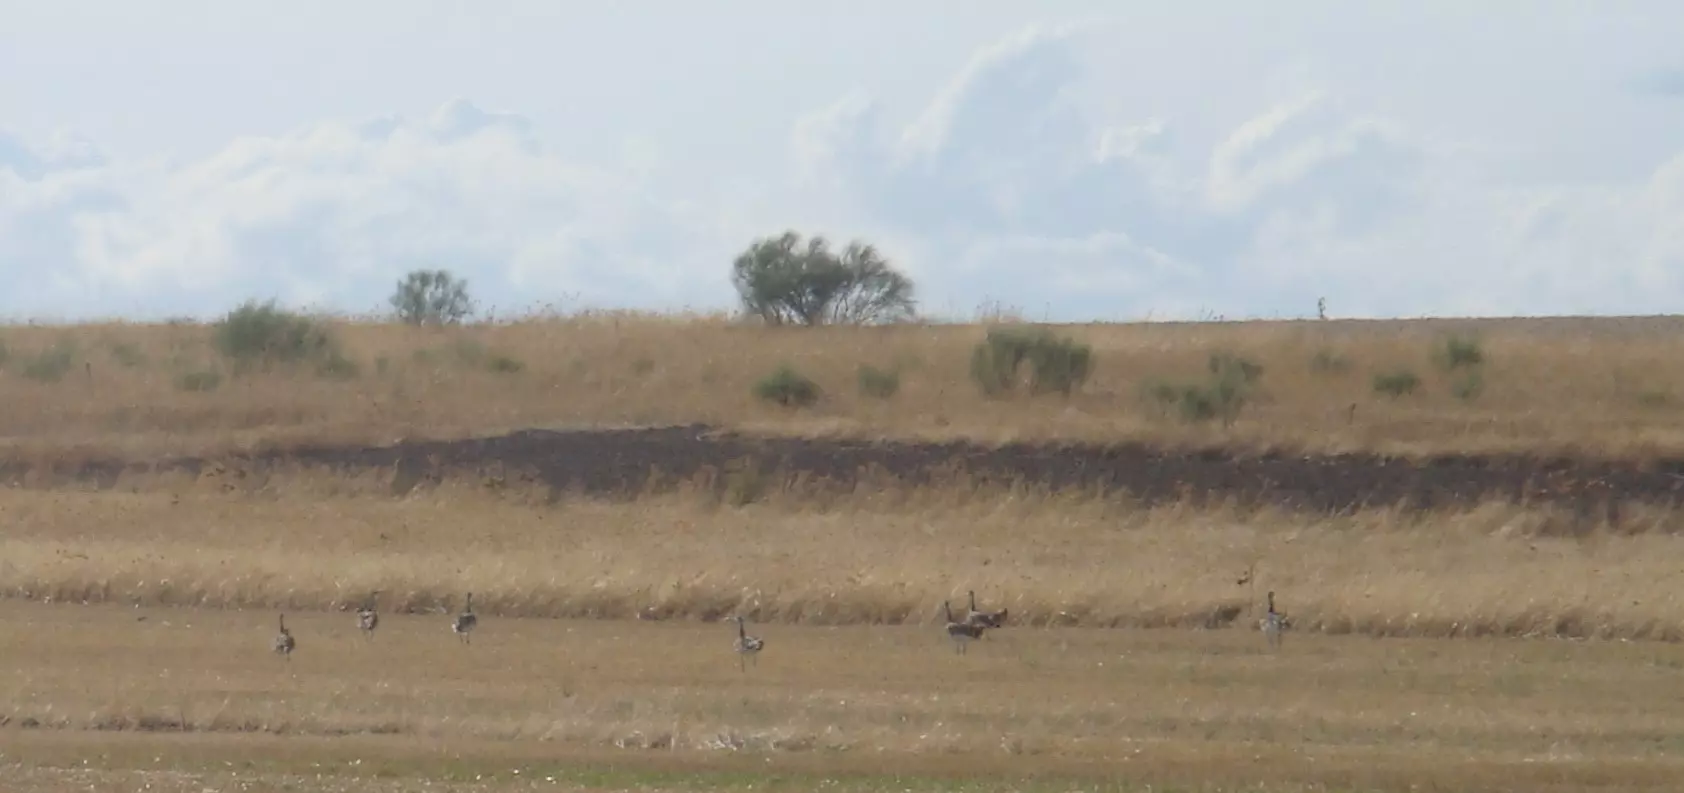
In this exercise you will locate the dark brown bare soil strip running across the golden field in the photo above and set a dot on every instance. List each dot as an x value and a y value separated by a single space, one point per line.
622 462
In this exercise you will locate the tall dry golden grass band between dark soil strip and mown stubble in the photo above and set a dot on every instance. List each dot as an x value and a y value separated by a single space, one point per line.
880 556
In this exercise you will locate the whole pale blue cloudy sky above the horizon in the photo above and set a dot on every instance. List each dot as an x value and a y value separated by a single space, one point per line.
1068 159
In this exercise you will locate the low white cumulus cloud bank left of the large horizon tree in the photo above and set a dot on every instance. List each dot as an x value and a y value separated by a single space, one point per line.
334 215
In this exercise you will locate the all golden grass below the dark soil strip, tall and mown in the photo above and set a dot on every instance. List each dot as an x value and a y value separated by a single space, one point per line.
151 664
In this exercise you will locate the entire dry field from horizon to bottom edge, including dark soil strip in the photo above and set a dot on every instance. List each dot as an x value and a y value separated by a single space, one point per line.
1463 624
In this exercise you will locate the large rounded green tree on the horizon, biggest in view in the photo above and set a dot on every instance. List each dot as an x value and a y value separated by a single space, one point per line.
791 282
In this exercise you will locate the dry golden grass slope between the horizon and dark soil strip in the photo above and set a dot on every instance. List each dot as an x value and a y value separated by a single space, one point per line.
1589 386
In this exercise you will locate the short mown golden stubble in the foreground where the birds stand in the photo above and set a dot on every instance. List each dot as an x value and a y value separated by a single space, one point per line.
664 706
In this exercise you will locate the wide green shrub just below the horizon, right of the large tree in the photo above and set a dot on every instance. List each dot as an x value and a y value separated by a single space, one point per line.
1055 365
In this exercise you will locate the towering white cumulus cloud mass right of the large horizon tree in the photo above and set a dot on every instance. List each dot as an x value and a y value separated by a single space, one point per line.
1028 194
